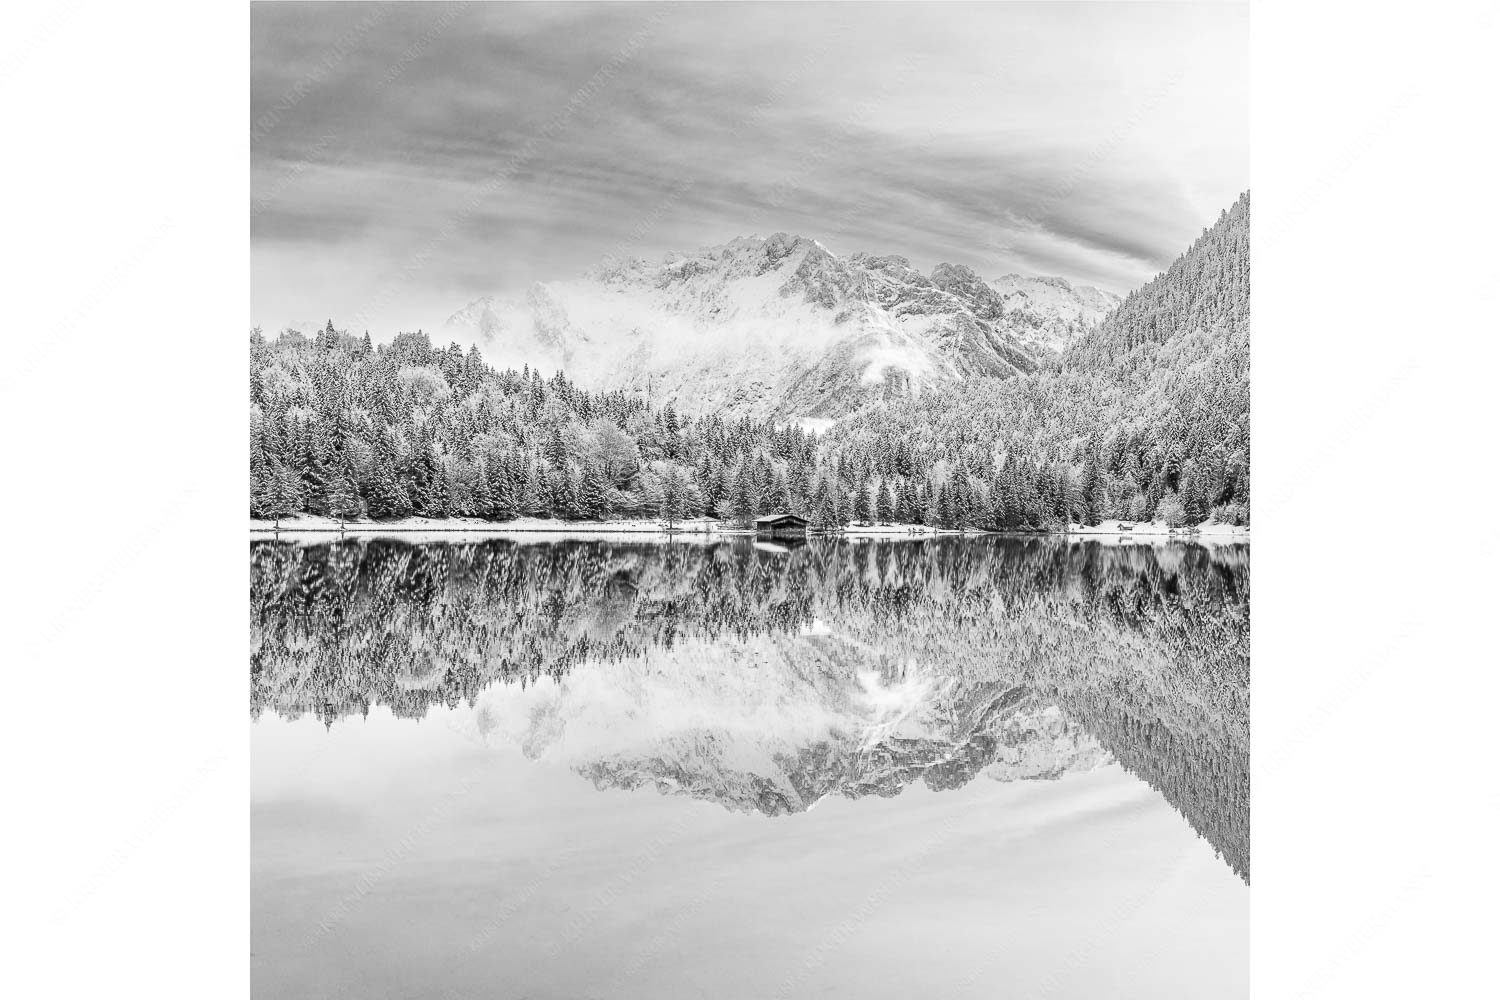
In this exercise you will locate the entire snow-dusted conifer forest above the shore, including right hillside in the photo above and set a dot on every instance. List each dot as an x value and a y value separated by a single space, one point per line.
1145 419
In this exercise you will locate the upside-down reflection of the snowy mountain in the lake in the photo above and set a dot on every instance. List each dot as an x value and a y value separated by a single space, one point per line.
778 723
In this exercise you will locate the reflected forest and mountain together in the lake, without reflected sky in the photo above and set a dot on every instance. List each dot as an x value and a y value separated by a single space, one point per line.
772 680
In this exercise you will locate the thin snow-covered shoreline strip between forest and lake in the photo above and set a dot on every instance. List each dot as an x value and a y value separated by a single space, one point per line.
406 527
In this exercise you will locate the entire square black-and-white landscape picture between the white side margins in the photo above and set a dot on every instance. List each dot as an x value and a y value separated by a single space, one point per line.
749 488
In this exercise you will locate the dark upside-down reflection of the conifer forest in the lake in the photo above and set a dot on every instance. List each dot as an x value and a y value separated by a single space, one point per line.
1147 648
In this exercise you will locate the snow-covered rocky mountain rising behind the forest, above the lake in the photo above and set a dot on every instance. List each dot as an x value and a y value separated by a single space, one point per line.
779 326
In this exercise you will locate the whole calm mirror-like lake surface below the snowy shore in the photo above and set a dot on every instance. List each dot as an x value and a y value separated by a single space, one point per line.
929 768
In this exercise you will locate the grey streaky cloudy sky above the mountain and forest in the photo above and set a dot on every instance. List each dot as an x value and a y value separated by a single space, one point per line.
410 158
